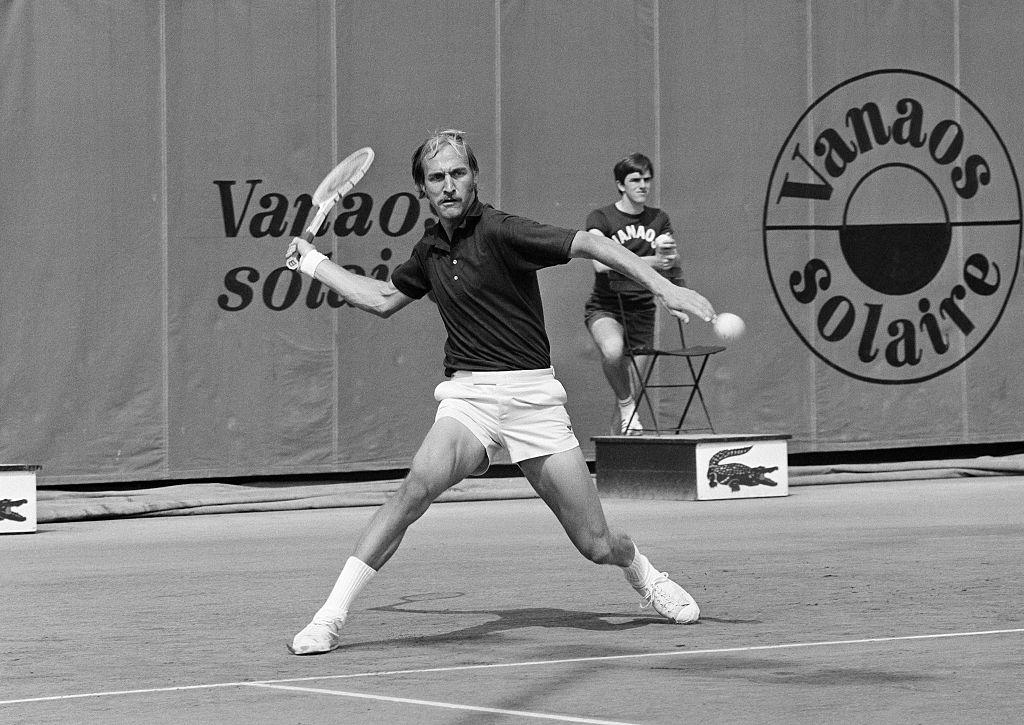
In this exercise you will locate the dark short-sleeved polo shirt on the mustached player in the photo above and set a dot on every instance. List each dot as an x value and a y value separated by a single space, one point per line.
485 284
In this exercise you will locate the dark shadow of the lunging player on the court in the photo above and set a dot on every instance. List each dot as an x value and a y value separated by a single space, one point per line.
508 620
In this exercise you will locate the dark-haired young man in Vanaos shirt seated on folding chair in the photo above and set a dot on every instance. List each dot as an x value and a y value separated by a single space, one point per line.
648 233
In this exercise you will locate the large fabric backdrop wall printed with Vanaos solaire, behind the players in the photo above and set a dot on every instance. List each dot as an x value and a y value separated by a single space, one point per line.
842 176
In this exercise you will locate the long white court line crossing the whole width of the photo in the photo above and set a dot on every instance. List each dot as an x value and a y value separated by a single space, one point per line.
535 663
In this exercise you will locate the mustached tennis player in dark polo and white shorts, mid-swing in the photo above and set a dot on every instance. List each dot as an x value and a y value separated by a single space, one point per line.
480 268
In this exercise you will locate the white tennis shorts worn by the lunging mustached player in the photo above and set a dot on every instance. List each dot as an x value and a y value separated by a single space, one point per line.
522 411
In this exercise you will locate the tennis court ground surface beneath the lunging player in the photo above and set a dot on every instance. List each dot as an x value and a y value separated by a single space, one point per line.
895 603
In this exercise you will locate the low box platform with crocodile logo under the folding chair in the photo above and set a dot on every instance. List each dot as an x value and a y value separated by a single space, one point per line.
693 467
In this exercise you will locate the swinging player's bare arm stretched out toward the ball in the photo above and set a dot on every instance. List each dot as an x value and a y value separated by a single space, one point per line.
679 301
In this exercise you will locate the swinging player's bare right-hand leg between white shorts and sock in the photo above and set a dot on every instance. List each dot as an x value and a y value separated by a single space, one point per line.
564 482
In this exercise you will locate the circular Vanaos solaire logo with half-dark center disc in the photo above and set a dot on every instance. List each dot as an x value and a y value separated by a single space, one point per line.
892 228
